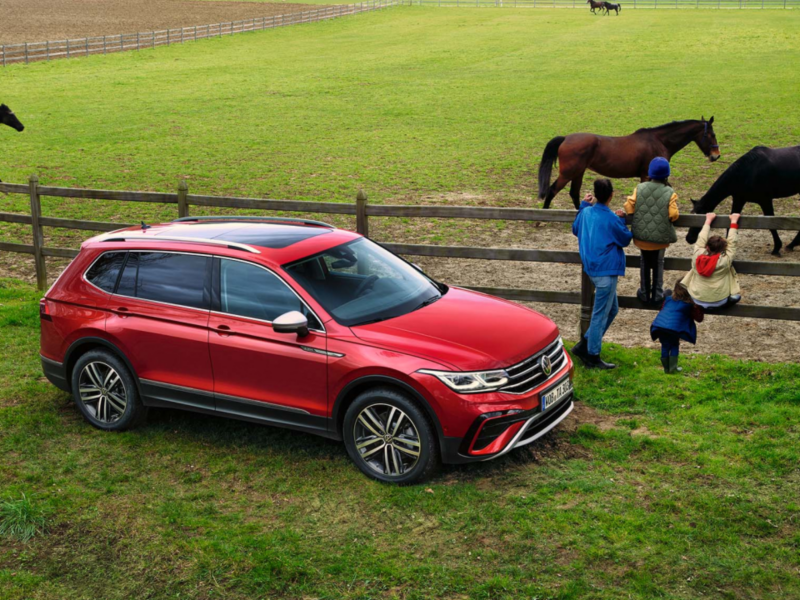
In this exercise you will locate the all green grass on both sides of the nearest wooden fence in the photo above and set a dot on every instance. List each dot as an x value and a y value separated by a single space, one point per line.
684 487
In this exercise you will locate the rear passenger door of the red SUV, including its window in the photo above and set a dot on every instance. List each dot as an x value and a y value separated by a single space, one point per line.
159 316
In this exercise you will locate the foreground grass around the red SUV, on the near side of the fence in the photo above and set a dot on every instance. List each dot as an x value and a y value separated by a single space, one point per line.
688 488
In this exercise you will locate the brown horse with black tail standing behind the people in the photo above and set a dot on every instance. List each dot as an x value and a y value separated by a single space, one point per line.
627 156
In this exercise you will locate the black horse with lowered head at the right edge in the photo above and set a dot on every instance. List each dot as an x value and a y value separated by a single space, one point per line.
760 176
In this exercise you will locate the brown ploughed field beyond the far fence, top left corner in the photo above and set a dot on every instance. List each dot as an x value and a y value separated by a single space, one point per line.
42 20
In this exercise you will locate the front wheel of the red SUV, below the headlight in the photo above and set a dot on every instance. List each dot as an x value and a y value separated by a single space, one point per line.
389 437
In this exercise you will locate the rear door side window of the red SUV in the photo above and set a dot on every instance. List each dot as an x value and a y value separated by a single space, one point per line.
172 278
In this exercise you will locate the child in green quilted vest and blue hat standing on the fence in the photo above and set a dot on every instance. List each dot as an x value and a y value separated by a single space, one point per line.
654 206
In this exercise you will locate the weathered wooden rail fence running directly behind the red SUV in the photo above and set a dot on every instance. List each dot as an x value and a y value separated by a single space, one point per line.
363 211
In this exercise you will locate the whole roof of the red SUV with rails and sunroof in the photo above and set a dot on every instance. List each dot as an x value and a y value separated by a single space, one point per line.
274 240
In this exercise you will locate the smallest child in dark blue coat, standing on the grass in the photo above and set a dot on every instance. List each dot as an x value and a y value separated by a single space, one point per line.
676 322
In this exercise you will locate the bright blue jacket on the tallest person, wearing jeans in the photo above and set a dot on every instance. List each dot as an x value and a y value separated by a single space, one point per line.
601 237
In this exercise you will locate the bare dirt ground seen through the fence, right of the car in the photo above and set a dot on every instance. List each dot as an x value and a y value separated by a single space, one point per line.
756 339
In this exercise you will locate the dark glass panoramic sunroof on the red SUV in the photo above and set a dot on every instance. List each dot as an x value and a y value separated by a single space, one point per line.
255 234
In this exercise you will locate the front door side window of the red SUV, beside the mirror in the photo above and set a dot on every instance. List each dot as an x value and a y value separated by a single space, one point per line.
249 291
